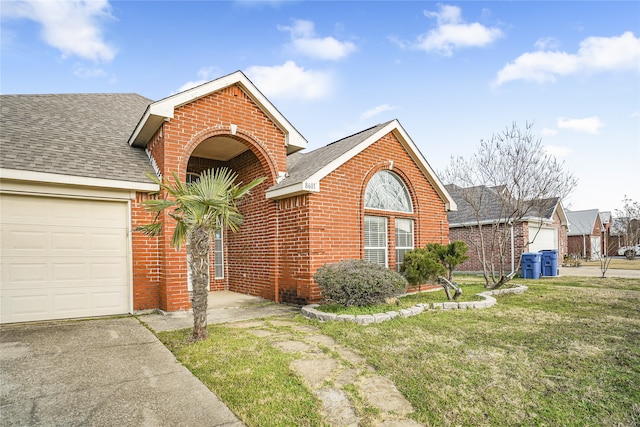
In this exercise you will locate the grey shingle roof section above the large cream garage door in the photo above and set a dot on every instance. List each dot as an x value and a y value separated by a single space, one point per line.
63 137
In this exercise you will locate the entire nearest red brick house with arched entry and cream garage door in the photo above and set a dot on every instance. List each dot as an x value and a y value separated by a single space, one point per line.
72 186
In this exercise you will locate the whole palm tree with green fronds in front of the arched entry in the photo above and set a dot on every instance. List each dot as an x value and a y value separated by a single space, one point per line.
199 208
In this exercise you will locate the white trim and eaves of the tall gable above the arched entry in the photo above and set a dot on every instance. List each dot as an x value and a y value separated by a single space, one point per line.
157 112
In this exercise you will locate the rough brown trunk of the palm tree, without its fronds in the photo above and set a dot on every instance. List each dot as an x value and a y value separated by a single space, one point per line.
199 251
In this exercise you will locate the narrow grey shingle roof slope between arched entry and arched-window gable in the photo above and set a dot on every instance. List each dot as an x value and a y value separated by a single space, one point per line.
301 166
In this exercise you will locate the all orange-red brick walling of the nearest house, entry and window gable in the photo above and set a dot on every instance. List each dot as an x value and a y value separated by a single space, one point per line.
281 243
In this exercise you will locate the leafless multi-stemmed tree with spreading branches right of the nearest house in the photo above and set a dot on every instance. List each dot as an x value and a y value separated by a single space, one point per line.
509 179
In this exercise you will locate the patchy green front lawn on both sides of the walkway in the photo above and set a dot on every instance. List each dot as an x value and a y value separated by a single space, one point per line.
566 352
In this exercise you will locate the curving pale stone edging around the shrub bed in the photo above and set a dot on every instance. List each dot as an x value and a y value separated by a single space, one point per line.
310 312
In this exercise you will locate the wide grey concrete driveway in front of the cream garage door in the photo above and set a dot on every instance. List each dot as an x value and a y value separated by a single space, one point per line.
102 372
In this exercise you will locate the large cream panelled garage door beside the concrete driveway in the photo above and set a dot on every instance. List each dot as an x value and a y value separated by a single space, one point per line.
62 258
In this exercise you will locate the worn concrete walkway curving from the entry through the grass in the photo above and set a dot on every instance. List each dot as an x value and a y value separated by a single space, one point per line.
329 370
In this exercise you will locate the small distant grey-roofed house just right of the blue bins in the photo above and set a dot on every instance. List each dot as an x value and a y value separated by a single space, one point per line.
585 234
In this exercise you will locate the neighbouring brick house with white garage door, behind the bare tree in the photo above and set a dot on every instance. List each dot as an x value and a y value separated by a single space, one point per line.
544 228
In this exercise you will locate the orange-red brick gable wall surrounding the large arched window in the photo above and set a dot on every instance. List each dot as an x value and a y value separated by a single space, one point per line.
330 225
